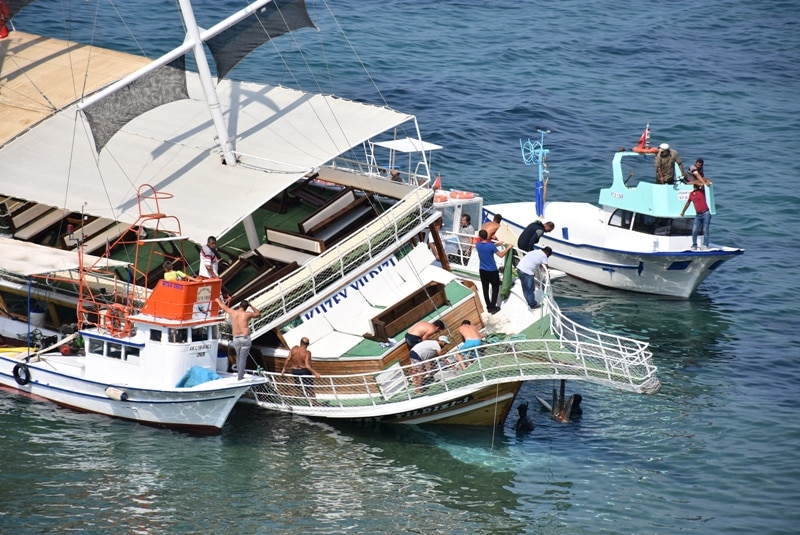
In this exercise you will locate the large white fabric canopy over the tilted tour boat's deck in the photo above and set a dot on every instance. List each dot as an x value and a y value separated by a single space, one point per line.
279 135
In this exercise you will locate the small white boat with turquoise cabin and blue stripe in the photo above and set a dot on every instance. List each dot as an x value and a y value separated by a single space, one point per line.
636 239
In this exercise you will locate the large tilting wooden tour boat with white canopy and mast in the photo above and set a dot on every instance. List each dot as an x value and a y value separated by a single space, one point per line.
338 260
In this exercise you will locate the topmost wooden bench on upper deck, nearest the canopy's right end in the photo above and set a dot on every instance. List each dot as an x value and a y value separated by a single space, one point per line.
341 214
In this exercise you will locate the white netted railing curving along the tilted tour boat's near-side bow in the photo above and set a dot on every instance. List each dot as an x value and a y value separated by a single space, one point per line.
446 377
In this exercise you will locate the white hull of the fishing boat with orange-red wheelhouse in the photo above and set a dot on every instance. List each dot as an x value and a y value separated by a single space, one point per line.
203 408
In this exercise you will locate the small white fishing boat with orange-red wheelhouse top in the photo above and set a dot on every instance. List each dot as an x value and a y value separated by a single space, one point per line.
135 354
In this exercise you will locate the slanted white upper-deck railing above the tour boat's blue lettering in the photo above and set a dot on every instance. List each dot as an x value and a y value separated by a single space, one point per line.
306 283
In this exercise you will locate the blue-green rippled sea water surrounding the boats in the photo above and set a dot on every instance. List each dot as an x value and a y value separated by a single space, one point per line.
716 451
